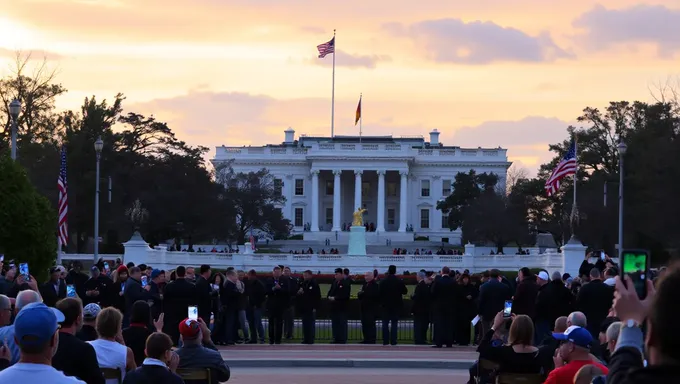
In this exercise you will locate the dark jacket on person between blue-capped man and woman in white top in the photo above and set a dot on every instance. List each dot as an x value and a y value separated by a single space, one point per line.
77 358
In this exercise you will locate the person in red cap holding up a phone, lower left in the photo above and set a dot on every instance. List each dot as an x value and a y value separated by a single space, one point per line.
198 352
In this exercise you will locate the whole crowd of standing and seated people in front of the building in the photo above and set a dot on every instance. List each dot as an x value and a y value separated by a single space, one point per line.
136 321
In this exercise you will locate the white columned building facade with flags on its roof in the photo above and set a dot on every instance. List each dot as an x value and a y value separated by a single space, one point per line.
398 180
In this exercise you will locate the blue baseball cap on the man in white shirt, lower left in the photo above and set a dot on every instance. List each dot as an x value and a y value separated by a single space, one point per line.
36 323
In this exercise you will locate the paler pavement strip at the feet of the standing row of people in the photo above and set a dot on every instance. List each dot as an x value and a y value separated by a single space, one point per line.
348 356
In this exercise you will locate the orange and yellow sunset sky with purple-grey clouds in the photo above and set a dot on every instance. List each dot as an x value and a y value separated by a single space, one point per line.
513 73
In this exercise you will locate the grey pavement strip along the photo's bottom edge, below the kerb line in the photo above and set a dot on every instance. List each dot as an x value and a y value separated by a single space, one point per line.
345 375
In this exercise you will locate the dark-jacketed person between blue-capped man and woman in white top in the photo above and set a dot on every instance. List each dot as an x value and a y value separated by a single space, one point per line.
75 357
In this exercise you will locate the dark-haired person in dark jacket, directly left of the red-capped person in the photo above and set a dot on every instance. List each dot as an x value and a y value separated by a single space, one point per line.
159 366
